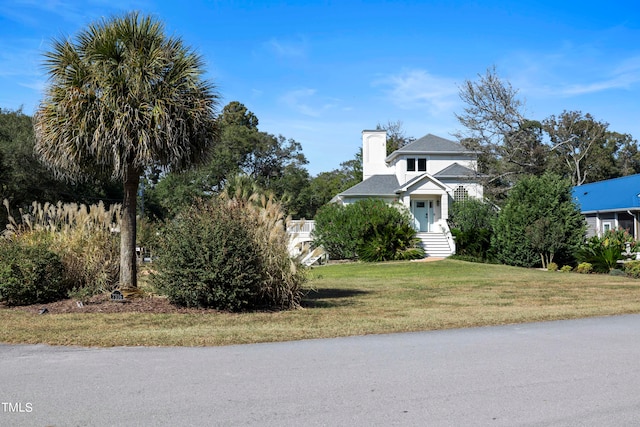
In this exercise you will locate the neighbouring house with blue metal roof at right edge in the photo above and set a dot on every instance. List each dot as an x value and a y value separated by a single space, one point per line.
610 205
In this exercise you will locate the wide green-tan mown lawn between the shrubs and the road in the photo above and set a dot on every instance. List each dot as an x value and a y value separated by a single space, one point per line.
354 299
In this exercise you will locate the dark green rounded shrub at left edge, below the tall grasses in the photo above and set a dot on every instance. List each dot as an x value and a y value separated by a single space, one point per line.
30 274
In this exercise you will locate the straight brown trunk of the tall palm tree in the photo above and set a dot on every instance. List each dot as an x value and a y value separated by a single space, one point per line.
128 273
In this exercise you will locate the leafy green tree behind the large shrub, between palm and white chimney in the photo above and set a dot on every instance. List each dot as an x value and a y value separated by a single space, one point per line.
274 162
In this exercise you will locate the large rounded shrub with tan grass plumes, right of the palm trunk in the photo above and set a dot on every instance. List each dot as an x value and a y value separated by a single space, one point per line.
229 254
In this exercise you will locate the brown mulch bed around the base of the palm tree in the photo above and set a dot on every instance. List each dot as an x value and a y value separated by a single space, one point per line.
103 304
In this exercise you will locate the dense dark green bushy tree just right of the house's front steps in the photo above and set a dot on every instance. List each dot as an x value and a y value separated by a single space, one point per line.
539 222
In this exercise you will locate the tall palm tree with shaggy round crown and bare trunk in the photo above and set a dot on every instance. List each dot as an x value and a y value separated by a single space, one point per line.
123 96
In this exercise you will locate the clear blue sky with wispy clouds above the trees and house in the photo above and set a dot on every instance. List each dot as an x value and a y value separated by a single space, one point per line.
322 71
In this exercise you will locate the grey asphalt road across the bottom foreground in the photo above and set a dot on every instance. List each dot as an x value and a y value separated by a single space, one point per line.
569 373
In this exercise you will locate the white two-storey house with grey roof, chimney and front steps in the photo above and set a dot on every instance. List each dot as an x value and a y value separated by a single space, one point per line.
426 176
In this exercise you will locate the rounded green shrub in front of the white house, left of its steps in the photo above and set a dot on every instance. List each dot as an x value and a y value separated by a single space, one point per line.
370 230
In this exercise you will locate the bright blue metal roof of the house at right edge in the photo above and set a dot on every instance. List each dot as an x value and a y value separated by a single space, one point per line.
618 194
